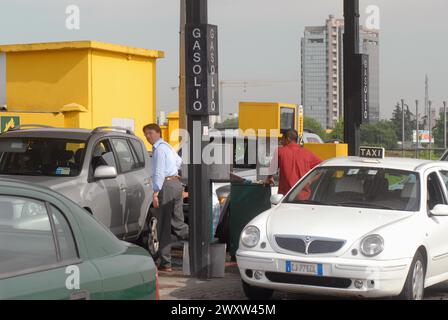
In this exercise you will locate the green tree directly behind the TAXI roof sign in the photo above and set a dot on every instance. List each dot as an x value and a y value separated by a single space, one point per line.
380 134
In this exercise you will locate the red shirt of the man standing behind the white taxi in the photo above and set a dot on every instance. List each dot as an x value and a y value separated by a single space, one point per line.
294 162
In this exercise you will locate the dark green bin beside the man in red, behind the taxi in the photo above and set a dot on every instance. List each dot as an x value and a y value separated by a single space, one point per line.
246 202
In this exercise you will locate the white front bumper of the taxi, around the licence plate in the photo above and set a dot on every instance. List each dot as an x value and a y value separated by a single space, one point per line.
338 277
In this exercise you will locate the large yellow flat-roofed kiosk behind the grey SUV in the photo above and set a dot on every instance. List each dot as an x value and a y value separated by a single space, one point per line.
78 84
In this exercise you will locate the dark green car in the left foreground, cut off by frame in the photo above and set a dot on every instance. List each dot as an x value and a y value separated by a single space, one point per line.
50 248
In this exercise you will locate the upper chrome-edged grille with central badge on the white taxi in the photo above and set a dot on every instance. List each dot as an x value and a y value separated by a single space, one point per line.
315 246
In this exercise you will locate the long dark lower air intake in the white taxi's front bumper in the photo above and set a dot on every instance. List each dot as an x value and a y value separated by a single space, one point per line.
327 282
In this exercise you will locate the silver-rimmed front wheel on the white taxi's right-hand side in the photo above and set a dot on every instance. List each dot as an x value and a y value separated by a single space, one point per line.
415 282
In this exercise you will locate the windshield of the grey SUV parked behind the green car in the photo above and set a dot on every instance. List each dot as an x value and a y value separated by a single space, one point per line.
41 157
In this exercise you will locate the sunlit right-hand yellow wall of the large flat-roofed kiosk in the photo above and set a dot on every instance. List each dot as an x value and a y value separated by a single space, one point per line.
122 88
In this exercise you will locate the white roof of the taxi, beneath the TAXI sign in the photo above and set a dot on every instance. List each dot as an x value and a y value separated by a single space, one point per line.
406 164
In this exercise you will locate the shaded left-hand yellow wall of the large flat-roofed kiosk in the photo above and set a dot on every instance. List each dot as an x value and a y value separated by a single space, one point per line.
46 81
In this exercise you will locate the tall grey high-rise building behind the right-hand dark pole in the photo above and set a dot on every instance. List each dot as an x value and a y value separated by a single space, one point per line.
322 71
